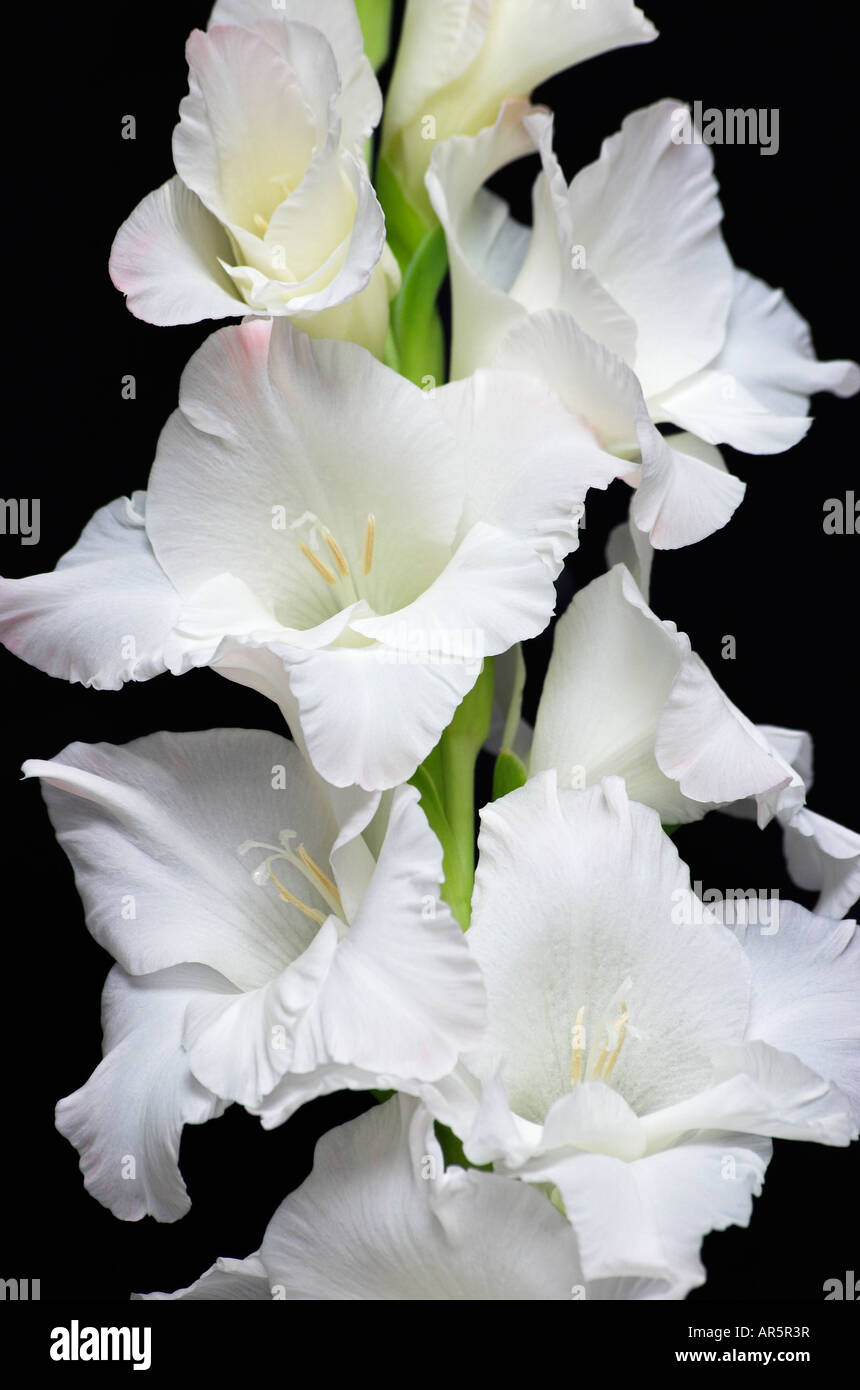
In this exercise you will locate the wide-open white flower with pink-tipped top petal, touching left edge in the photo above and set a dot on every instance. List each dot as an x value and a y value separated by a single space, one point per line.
331 534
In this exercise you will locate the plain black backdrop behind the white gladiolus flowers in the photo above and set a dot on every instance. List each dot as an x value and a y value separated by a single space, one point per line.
773 579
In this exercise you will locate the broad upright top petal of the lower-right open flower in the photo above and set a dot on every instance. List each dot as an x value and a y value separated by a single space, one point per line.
574 901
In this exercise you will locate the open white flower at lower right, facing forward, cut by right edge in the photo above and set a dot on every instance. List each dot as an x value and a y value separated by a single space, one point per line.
640 1054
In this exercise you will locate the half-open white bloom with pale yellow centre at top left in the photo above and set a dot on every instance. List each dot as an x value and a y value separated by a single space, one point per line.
272 211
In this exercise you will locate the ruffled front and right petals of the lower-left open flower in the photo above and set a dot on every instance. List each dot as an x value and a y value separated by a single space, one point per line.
397 996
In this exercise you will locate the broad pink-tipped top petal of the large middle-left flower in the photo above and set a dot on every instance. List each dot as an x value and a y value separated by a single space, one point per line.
256 432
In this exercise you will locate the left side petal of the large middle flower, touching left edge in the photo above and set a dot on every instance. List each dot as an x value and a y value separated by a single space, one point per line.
104 616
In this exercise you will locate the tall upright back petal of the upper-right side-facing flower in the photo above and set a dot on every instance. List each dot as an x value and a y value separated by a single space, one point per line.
650 218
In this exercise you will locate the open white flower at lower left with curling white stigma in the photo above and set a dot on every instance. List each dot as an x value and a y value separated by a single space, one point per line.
265 954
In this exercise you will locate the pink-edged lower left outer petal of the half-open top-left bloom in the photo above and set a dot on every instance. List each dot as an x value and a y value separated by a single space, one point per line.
167 259
